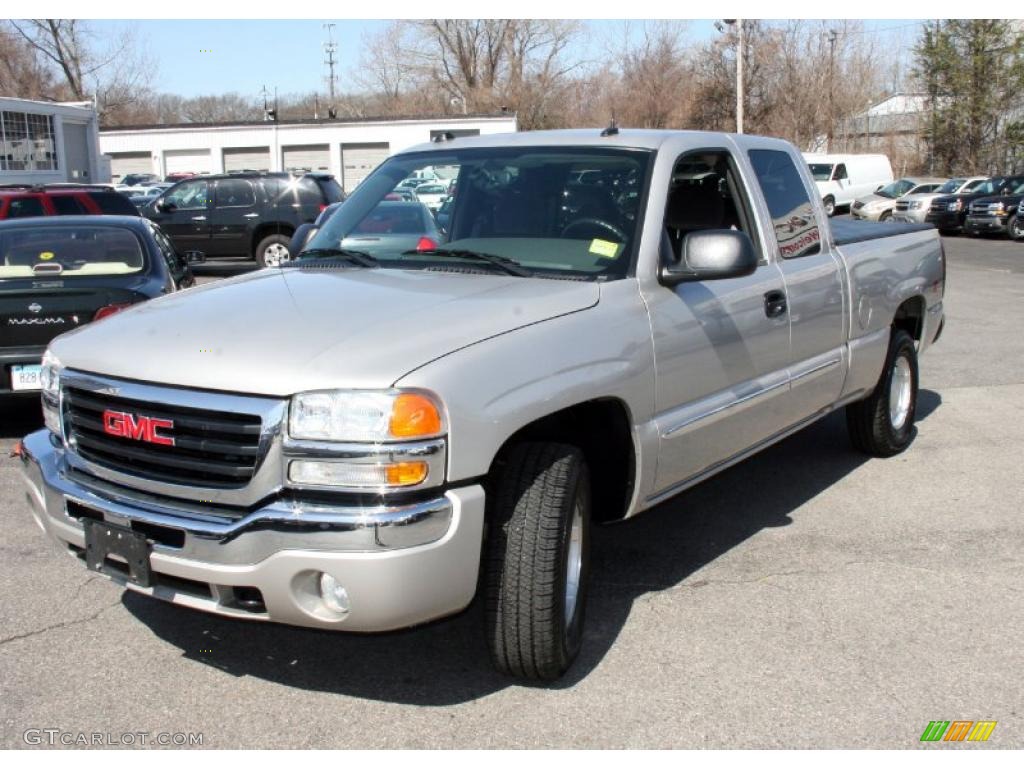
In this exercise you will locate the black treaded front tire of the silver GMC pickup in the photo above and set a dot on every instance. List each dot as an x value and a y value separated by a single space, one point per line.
538 561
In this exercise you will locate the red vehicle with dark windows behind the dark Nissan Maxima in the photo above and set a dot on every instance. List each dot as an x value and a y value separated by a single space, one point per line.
21 201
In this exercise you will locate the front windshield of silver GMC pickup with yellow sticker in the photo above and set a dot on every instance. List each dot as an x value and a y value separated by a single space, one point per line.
574 211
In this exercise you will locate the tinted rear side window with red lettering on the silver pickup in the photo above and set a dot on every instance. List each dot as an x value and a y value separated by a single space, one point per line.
793 217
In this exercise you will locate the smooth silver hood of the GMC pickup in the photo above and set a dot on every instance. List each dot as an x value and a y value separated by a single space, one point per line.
278 332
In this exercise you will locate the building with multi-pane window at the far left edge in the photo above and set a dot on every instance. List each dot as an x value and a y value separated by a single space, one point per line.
44 143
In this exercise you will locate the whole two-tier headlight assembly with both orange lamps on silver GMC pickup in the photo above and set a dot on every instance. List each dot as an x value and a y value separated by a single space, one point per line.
382 442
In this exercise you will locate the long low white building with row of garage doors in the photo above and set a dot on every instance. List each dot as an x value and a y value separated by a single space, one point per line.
349 149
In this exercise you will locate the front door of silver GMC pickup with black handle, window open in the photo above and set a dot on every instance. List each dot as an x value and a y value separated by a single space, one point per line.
721 348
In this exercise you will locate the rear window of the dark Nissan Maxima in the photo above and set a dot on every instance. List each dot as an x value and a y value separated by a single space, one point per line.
70 252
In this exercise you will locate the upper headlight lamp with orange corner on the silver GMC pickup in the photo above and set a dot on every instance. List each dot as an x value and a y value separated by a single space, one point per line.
364 416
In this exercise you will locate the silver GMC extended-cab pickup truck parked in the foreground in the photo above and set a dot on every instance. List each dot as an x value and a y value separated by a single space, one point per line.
358 439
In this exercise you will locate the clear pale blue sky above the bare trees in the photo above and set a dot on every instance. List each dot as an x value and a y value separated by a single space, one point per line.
203 57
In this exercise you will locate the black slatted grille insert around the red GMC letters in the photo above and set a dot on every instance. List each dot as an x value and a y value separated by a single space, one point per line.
211 449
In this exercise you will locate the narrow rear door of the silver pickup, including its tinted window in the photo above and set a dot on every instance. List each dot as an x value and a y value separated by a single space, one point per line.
815 284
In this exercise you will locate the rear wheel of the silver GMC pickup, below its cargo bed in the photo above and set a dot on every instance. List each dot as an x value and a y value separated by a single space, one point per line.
883 423
